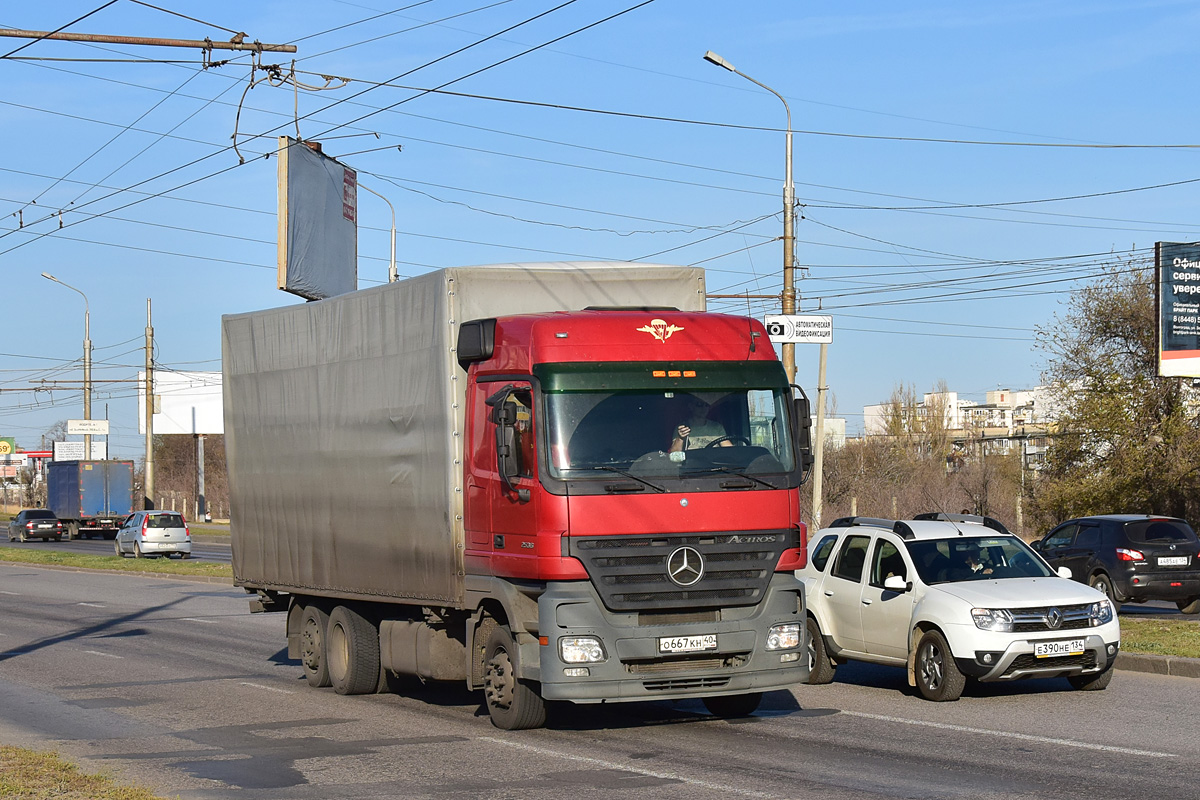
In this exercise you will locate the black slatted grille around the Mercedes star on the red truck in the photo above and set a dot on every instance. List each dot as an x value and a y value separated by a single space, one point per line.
631 573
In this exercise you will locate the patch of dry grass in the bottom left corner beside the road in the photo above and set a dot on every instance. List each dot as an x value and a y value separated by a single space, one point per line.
34 775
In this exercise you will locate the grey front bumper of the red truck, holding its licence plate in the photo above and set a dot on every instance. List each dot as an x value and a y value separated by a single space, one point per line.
700 653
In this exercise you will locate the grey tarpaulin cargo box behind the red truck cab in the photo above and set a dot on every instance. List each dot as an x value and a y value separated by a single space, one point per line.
344 423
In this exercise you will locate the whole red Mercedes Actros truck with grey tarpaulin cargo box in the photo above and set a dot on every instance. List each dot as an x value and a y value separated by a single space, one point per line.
551 482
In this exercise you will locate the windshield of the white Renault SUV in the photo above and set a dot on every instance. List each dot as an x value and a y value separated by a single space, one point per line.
950 561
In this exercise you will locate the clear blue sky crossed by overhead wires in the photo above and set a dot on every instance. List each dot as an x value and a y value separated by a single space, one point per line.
955 164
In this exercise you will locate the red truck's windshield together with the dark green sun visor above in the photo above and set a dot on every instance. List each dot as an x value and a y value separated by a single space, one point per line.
667 423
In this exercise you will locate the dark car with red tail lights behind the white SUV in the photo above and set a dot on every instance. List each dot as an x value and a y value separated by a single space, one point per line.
1131 558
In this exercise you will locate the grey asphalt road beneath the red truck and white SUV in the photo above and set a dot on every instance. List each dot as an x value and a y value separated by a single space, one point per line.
177 685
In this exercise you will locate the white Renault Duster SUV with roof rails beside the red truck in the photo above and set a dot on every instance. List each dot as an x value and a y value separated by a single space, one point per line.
950 598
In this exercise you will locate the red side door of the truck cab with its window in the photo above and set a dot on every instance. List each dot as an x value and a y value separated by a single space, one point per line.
501 508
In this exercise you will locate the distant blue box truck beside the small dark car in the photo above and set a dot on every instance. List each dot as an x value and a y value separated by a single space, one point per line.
91 497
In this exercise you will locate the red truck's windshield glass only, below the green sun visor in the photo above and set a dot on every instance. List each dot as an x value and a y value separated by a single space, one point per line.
668 432
